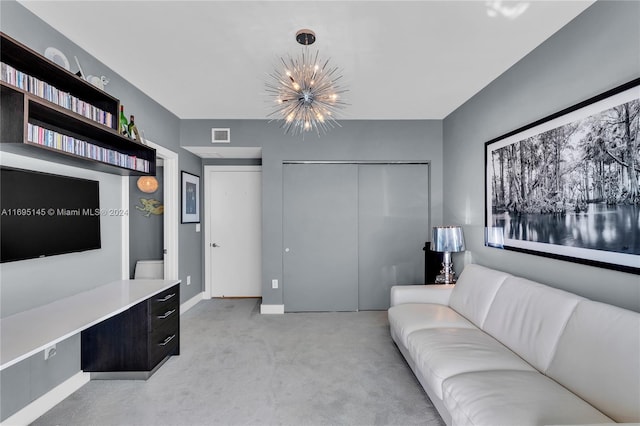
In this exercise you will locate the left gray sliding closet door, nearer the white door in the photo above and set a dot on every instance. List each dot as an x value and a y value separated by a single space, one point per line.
320 236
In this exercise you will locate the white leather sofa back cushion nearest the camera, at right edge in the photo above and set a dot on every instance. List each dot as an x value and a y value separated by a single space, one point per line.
598 358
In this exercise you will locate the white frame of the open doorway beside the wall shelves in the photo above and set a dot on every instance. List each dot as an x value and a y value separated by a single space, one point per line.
170 219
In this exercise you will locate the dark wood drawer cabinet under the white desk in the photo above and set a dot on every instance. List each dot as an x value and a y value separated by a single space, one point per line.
134 343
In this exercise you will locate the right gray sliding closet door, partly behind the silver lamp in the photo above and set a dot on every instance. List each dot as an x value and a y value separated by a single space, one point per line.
393 227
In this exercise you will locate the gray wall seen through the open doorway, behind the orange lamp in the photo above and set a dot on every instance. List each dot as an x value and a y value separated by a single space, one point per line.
146 233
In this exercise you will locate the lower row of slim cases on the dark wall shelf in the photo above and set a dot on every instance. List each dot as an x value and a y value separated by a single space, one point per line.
51 139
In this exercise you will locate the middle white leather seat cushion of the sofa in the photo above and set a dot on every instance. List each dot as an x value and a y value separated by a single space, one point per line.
440 353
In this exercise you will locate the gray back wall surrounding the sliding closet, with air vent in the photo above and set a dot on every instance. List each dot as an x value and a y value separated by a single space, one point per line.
356 140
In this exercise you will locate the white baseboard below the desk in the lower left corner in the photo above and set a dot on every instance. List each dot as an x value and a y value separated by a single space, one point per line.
47 401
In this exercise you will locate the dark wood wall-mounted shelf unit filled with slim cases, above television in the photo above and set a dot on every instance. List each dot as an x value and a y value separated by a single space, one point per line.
37 92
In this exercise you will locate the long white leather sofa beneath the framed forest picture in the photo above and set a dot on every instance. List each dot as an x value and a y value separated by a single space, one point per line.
496 349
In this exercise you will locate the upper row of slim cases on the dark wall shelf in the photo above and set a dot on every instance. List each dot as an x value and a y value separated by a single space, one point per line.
44 90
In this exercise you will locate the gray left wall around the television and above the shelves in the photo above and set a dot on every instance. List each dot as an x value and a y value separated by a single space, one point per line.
31 283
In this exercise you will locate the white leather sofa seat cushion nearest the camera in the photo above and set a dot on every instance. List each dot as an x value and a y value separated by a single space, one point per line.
520 398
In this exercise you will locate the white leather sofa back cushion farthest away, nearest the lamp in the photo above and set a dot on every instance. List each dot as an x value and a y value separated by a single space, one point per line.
474 292
